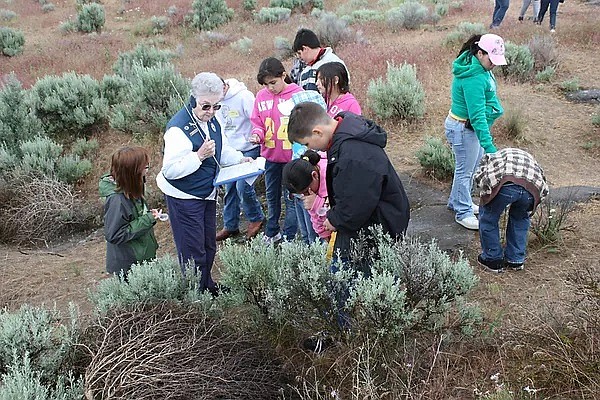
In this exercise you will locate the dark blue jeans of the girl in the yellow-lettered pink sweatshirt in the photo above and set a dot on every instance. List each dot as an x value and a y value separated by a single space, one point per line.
275 189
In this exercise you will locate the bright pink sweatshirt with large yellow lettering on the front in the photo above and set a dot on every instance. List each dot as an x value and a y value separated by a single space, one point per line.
271 126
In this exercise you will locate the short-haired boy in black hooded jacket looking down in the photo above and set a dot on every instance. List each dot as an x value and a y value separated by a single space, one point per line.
363 188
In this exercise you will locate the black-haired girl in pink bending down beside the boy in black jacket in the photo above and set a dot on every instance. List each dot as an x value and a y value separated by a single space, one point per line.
306 177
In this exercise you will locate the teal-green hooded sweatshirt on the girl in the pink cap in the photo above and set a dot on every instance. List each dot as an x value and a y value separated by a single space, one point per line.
474 97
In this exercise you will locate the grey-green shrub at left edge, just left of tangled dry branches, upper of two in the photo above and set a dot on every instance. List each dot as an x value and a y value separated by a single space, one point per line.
35 334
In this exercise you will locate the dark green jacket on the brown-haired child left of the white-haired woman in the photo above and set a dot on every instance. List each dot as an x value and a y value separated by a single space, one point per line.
128 228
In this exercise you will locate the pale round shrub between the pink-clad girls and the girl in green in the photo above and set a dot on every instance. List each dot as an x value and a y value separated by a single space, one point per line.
400 95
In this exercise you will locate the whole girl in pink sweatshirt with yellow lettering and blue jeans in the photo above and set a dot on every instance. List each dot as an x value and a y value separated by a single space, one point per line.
269 129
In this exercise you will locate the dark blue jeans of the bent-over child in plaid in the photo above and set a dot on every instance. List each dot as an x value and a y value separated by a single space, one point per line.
521 205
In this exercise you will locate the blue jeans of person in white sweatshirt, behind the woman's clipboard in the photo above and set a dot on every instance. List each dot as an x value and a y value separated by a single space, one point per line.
240 190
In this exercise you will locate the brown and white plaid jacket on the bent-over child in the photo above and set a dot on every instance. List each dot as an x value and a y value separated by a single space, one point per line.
510 165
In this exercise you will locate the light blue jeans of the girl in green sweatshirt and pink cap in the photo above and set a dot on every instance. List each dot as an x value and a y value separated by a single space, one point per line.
467 153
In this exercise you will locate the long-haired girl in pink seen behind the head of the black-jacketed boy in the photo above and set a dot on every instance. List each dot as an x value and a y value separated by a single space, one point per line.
333 83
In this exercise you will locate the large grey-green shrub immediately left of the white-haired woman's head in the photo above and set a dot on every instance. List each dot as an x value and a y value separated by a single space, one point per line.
151 100
